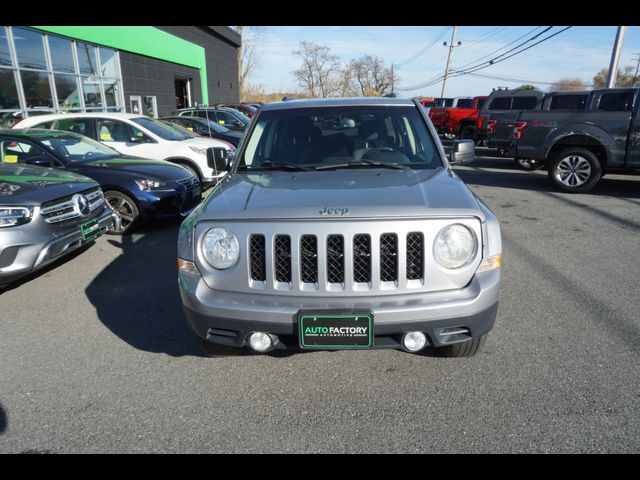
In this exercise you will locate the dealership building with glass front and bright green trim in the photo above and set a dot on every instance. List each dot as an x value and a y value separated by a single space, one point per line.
147 70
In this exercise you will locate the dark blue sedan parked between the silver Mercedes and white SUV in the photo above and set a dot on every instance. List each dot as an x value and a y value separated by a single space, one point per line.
135 189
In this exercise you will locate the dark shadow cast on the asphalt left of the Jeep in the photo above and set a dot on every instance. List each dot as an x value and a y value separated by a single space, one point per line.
136 296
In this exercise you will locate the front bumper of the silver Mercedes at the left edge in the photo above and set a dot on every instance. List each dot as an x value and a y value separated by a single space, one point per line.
22 252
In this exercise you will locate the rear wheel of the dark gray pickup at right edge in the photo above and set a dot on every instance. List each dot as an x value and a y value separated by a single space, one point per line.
575 170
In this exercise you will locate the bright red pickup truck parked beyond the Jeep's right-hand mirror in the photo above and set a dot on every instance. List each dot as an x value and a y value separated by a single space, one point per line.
458 121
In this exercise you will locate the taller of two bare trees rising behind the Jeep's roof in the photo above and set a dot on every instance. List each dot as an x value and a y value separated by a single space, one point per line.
319 73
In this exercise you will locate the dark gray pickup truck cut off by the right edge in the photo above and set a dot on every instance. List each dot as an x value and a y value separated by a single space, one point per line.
579 145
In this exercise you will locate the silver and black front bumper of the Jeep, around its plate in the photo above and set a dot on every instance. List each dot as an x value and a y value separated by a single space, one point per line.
228 318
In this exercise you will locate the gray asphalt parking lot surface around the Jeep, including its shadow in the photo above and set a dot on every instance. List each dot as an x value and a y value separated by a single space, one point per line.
95 355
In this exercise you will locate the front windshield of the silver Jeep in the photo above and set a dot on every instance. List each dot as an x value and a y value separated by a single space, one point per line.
323 138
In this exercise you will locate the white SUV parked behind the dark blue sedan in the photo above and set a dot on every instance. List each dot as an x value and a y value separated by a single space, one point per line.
139 136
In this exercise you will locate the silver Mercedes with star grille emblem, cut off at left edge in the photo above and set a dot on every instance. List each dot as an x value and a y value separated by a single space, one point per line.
45 214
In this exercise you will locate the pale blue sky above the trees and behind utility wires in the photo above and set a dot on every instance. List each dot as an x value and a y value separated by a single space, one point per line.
579 52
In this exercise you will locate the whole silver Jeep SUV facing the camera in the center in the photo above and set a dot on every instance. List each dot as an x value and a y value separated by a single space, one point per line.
341 225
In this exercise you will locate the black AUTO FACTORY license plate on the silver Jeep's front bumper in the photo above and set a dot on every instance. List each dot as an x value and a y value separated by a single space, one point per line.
335 330
